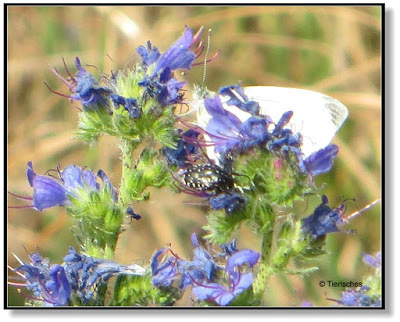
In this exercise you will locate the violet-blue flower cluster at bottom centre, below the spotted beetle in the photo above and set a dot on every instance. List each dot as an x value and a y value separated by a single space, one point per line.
210 279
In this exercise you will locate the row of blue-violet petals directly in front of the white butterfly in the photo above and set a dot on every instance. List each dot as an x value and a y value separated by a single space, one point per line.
231 134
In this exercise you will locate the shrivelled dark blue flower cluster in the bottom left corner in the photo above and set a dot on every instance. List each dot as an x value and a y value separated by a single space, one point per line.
80 275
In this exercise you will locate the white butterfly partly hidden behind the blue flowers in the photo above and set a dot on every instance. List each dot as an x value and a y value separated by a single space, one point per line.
316 116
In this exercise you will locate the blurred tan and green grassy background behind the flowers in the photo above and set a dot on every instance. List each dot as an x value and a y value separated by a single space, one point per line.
334 50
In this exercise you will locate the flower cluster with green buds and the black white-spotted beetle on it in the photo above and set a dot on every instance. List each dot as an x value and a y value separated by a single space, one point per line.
231 127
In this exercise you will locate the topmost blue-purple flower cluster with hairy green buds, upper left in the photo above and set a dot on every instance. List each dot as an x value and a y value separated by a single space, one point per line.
135 103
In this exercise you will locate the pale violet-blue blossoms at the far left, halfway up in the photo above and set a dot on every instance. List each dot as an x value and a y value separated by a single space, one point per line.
49 192
